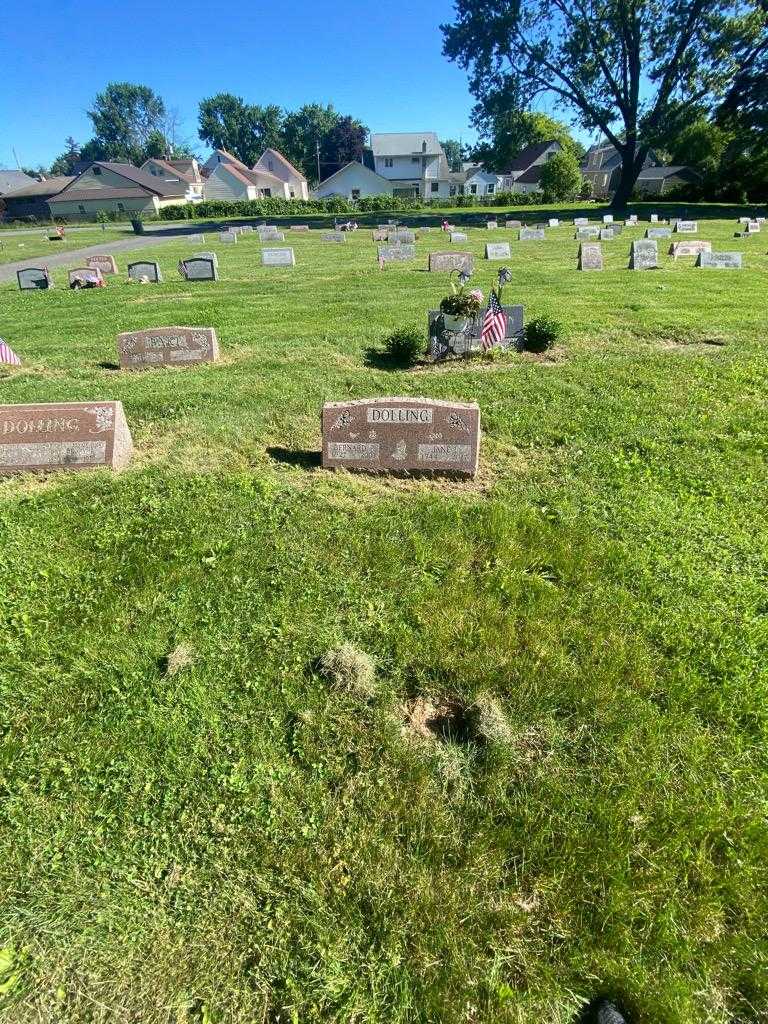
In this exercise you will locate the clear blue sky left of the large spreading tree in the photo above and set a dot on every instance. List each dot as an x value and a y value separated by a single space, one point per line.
379 62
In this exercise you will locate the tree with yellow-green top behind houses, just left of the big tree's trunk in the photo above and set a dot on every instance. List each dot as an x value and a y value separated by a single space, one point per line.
506 132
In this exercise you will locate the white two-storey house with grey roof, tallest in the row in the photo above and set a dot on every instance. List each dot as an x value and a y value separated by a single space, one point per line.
414 163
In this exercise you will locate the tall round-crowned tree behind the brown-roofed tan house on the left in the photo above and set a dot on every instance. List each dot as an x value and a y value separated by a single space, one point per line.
125 118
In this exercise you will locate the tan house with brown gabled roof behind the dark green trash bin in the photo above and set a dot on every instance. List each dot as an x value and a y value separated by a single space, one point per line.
116 188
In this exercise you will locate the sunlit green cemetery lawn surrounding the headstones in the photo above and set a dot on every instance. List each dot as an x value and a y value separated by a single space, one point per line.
234 839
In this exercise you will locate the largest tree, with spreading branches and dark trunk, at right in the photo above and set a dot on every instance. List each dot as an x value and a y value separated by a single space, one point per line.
620 65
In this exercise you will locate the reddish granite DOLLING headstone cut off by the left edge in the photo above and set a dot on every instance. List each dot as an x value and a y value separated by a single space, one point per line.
64 436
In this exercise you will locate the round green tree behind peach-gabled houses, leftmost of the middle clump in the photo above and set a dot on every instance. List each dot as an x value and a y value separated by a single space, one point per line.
227 122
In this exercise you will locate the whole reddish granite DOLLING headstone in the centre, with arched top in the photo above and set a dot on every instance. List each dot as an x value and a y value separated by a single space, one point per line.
402 435
